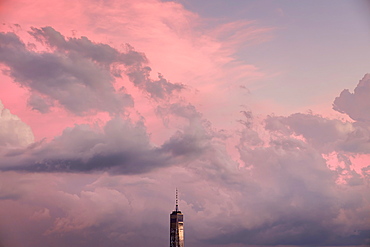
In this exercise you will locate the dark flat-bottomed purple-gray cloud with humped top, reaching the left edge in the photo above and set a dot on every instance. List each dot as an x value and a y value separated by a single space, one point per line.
122 147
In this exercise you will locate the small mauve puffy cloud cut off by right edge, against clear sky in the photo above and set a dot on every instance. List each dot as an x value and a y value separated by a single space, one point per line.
356 104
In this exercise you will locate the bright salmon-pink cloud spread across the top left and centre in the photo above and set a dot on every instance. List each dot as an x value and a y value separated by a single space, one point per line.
198 57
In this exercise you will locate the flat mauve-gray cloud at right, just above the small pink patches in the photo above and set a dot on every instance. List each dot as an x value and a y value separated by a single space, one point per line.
324 134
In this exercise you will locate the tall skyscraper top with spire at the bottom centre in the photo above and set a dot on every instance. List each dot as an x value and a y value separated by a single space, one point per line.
176 226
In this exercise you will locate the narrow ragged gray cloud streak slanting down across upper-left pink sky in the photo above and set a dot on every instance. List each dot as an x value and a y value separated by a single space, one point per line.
107 56
